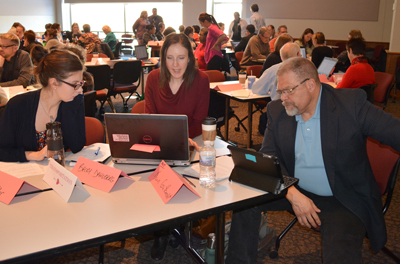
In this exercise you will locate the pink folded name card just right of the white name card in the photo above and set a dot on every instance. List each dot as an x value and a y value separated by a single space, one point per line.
97 175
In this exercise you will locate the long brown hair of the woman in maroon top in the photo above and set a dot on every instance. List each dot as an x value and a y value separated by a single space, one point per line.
190 72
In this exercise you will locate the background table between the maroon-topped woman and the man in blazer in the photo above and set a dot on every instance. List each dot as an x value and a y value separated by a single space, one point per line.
252 98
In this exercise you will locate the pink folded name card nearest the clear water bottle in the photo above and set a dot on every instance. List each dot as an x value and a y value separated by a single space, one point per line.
168 182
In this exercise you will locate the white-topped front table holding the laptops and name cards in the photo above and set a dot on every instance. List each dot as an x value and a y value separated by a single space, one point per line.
39 226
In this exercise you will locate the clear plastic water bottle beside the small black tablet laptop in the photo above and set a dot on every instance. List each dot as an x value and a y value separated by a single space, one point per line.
207 166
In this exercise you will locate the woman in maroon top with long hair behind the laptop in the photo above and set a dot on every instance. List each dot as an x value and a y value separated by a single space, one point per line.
177 88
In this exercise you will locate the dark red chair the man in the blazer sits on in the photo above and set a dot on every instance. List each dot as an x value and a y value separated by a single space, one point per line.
385 163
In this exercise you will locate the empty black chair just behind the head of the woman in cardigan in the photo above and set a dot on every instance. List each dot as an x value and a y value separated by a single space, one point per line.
101 76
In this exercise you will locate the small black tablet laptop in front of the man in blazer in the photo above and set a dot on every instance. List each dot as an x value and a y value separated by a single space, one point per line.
258 170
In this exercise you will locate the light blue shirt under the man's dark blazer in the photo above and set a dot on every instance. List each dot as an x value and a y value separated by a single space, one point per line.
309 164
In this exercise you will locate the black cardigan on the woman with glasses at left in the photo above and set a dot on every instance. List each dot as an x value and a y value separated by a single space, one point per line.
17 126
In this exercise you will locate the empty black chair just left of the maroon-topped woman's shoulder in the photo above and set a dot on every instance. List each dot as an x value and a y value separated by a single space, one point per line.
126 79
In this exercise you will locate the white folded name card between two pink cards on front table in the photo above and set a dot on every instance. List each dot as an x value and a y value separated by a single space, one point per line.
63 181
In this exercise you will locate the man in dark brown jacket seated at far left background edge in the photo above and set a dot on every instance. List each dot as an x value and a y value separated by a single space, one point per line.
15 64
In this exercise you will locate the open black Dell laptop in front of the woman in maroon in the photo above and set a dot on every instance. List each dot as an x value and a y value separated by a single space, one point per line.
169 132
